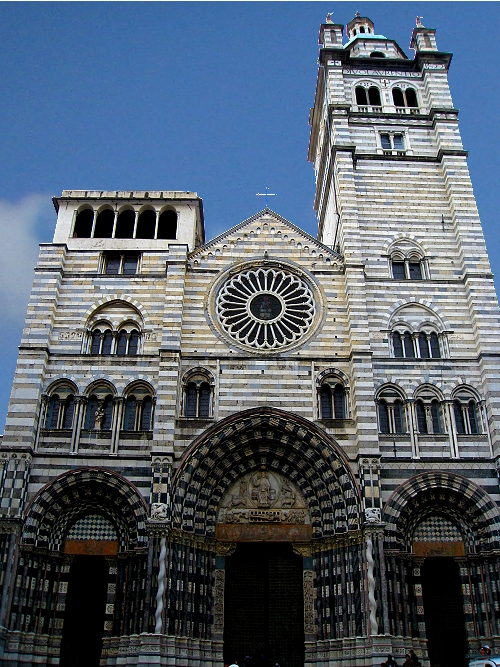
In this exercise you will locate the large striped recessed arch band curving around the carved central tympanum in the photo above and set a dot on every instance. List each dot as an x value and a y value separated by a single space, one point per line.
273 440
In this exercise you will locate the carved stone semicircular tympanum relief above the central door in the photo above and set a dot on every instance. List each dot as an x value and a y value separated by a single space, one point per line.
263 497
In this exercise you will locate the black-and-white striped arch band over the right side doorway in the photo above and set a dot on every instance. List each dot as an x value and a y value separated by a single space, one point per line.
442 493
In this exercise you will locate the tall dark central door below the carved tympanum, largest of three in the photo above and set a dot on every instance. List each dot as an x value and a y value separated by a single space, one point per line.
264 607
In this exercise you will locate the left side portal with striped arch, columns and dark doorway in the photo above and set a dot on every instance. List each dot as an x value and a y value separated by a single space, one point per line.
83 556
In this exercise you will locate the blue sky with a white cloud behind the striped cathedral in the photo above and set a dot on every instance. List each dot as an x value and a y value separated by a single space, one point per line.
205 96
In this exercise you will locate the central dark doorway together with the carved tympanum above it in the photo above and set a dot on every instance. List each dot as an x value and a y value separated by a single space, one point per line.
264 515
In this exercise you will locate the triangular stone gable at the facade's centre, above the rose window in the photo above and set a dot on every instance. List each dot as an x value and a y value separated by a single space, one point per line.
266 234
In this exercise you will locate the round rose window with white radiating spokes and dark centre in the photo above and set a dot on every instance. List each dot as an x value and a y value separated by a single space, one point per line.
265 308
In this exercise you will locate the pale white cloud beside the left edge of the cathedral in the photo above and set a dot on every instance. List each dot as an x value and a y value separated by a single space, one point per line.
23 225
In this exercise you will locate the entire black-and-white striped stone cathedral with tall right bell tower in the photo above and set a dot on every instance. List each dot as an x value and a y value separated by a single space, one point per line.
267 445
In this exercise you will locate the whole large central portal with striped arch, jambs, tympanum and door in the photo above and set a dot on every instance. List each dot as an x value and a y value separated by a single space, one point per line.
263 487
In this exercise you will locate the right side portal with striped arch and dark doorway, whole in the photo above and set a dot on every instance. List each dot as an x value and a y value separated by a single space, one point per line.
442 540
